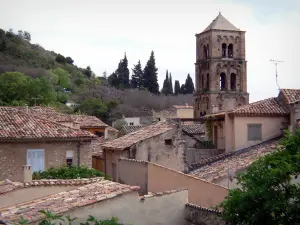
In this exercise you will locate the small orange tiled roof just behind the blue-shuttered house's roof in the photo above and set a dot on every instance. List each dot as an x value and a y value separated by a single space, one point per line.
88 121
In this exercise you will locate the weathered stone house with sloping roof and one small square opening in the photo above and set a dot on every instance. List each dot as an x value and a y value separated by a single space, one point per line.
161 143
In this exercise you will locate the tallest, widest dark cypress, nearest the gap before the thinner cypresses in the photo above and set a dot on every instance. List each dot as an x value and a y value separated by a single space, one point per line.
150 75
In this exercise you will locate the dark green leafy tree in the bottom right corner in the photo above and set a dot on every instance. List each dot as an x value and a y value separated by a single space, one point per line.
266 194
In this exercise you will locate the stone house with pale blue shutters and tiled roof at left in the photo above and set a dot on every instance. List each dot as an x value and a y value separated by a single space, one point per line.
26 139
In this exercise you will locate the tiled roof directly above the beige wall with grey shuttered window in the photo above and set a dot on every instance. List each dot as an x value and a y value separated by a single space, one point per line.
266 107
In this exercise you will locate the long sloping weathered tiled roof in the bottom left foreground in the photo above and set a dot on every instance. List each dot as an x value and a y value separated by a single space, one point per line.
66 201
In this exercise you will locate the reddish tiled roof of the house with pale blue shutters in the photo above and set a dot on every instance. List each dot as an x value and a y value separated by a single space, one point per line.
17 125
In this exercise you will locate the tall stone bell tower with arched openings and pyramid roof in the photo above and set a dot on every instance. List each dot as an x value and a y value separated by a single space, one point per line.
221 68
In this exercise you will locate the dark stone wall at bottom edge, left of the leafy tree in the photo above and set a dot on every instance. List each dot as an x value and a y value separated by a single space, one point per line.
196 215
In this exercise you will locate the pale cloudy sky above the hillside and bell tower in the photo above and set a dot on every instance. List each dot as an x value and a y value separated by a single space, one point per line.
97 33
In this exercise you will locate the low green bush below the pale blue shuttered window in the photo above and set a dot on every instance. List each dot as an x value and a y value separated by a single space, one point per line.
66 172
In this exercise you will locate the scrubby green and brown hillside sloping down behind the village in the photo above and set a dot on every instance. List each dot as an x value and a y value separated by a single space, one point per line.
32 75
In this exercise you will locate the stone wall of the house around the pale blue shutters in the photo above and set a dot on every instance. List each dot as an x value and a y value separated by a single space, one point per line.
14 155
